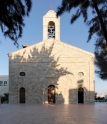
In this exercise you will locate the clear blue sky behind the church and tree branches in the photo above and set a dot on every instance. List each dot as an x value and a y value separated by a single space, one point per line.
75 35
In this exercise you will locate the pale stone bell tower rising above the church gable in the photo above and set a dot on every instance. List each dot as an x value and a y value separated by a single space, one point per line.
51 26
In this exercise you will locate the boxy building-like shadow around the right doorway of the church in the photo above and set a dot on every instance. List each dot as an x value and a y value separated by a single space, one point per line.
81 94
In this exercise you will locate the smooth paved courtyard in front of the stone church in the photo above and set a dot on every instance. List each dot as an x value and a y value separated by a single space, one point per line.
54 114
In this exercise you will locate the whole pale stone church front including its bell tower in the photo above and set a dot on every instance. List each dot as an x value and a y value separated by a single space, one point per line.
51 71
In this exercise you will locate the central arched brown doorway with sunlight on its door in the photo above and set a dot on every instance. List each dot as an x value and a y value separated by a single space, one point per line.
51 94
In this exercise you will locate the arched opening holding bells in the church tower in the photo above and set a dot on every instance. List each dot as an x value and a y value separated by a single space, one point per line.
51 29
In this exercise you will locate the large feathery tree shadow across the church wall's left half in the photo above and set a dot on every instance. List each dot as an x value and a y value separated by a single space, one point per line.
42 68
